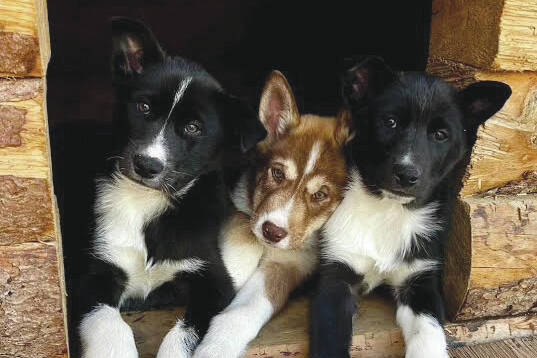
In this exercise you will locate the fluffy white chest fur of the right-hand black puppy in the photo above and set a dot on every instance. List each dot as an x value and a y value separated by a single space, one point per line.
372 234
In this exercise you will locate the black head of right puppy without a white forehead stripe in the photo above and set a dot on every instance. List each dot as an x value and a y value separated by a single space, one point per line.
413 129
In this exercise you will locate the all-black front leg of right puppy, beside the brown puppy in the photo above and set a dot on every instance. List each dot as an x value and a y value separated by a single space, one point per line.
331 311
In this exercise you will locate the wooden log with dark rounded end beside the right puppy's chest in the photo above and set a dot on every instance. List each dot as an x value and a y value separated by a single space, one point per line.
491 257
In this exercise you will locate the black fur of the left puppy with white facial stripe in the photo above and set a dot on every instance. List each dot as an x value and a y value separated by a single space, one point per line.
214 149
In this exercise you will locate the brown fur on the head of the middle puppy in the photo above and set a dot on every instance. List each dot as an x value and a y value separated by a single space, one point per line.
294 143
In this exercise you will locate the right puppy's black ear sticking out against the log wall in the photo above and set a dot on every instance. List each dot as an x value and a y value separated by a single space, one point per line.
481 100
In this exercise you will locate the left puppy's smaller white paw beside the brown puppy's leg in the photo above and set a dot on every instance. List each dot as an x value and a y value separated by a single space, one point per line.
179 342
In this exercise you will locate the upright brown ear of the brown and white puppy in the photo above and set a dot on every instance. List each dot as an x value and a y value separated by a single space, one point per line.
278 111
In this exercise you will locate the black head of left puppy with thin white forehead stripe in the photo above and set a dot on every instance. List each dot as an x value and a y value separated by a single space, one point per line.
178 121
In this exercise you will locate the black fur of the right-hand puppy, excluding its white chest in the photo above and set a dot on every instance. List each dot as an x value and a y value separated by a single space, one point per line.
393 114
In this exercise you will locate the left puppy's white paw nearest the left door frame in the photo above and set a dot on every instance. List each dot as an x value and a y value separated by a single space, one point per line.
104 334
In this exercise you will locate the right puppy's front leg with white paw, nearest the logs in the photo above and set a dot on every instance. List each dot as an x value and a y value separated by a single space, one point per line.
420 314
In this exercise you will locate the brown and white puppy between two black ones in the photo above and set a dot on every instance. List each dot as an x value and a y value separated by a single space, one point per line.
270 245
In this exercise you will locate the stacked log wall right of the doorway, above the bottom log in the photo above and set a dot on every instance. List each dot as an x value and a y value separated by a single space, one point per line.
491 259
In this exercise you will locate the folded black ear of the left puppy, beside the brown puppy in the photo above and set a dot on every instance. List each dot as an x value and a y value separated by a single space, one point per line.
246 130
